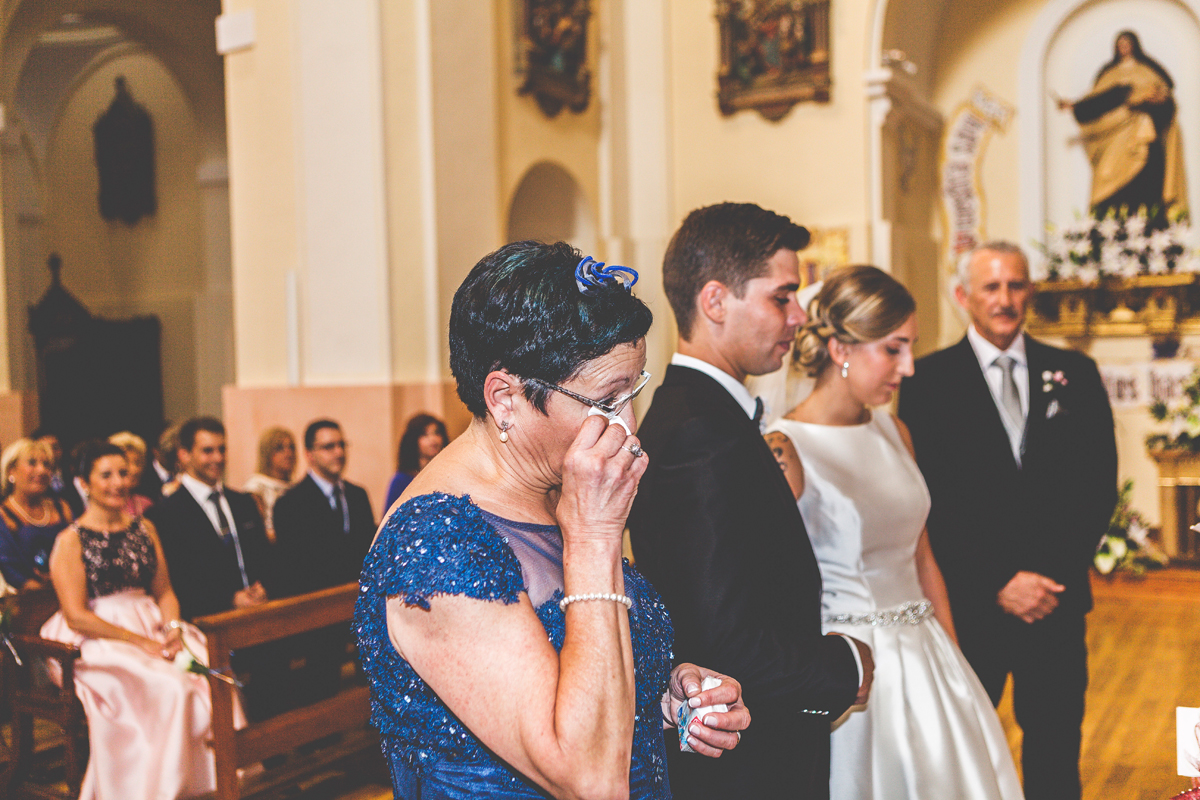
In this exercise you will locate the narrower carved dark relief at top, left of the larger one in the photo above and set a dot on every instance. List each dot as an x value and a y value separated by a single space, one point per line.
553 46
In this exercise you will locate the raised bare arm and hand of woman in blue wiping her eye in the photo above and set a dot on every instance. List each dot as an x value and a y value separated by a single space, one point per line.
565 720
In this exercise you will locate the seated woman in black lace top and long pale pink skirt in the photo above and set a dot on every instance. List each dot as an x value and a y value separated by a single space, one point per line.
148 719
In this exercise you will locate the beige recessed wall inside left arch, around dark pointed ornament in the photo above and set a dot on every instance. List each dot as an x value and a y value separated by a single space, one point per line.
157 266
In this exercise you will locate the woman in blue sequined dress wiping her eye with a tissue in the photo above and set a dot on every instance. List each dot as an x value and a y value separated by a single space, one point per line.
511 652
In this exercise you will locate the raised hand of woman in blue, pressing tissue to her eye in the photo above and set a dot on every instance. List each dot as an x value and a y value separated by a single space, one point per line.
601 476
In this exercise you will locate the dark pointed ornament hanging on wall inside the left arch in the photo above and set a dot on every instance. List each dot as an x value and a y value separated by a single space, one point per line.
124 137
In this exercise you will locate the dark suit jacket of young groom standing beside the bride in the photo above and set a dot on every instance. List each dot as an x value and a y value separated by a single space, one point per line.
717 531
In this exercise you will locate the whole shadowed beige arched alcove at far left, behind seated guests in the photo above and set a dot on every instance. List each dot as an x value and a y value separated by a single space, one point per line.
59 65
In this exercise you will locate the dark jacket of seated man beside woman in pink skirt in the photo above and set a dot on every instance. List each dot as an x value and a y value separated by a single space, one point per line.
203 569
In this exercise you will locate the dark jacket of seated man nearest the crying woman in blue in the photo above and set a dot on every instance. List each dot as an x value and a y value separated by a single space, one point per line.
314 552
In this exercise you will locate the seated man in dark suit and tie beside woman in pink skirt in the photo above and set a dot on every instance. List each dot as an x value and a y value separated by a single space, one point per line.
215 544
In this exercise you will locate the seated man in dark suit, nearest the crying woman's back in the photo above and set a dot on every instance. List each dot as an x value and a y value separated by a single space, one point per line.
323 527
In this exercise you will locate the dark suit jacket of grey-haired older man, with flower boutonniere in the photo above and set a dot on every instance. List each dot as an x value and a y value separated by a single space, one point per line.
991 519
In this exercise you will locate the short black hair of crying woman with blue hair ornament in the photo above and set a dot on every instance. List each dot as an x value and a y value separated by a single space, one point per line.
520 310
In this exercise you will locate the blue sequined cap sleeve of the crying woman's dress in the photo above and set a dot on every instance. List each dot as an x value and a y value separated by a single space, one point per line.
442 545
